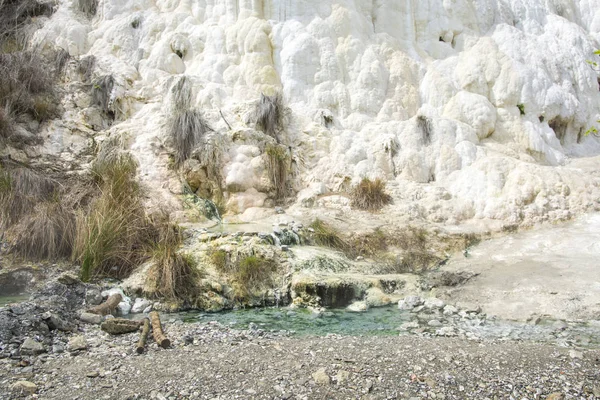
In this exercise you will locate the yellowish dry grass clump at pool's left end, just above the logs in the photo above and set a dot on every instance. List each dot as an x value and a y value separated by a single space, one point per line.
173 275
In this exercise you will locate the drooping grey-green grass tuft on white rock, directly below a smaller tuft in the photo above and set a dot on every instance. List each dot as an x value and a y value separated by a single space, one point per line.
186 130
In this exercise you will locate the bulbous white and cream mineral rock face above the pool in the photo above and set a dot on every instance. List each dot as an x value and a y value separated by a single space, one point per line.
425 93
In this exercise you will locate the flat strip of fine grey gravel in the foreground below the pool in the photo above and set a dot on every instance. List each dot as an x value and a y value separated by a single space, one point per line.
210 361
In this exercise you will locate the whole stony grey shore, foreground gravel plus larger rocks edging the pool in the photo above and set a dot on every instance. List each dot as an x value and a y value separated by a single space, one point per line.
48 351
